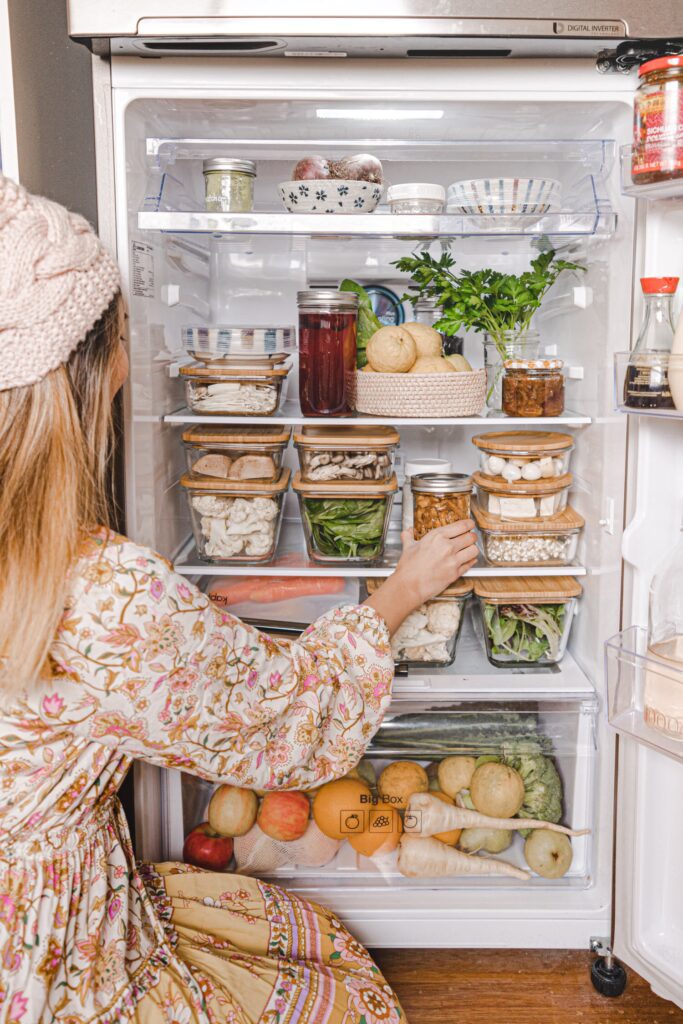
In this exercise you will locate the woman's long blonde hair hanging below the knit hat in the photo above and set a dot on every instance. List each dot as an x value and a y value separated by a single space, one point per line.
56 458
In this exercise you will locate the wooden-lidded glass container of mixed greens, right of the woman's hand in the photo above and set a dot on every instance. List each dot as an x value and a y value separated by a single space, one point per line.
527 620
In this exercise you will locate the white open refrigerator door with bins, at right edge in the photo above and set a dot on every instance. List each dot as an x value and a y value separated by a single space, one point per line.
646 691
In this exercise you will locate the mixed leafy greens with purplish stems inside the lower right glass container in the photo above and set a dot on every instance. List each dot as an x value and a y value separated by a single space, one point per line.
526 632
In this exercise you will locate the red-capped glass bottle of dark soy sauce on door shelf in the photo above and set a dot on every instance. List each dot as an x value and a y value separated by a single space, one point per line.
647 385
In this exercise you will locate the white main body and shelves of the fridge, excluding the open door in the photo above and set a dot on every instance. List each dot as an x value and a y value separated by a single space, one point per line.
185 266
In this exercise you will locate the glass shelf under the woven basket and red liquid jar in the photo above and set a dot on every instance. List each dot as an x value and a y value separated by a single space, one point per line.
291 414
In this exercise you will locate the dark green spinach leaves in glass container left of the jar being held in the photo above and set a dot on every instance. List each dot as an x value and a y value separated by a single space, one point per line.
348 528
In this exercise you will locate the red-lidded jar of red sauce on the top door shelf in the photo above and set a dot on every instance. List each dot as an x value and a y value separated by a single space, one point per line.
658 130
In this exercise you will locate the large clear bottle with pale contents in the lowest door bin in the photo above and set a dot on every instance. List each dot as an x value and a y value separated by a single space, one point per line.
664 677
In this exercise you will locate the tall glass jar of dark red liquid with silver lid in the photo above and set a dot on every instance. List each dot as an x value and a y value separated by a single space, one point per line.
328 323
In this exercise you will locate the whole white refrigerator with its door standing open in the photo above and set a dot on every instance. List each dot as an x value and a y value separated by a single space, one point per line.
438 95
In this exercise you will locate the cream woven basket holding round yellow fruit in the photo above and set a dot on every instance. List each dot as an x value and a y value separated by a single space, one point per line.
423 396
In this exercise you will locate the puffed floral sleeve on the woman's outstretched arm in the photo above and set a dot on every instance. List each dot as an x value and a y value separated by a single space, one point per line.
145 664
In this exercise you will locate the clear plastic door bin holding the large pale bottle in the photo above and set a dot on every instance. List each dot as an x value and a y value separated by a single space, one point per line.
643 691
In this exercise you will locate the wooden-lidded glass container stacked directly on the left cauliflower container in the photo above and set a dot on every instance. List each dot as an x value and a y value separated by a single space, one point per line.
236 453
